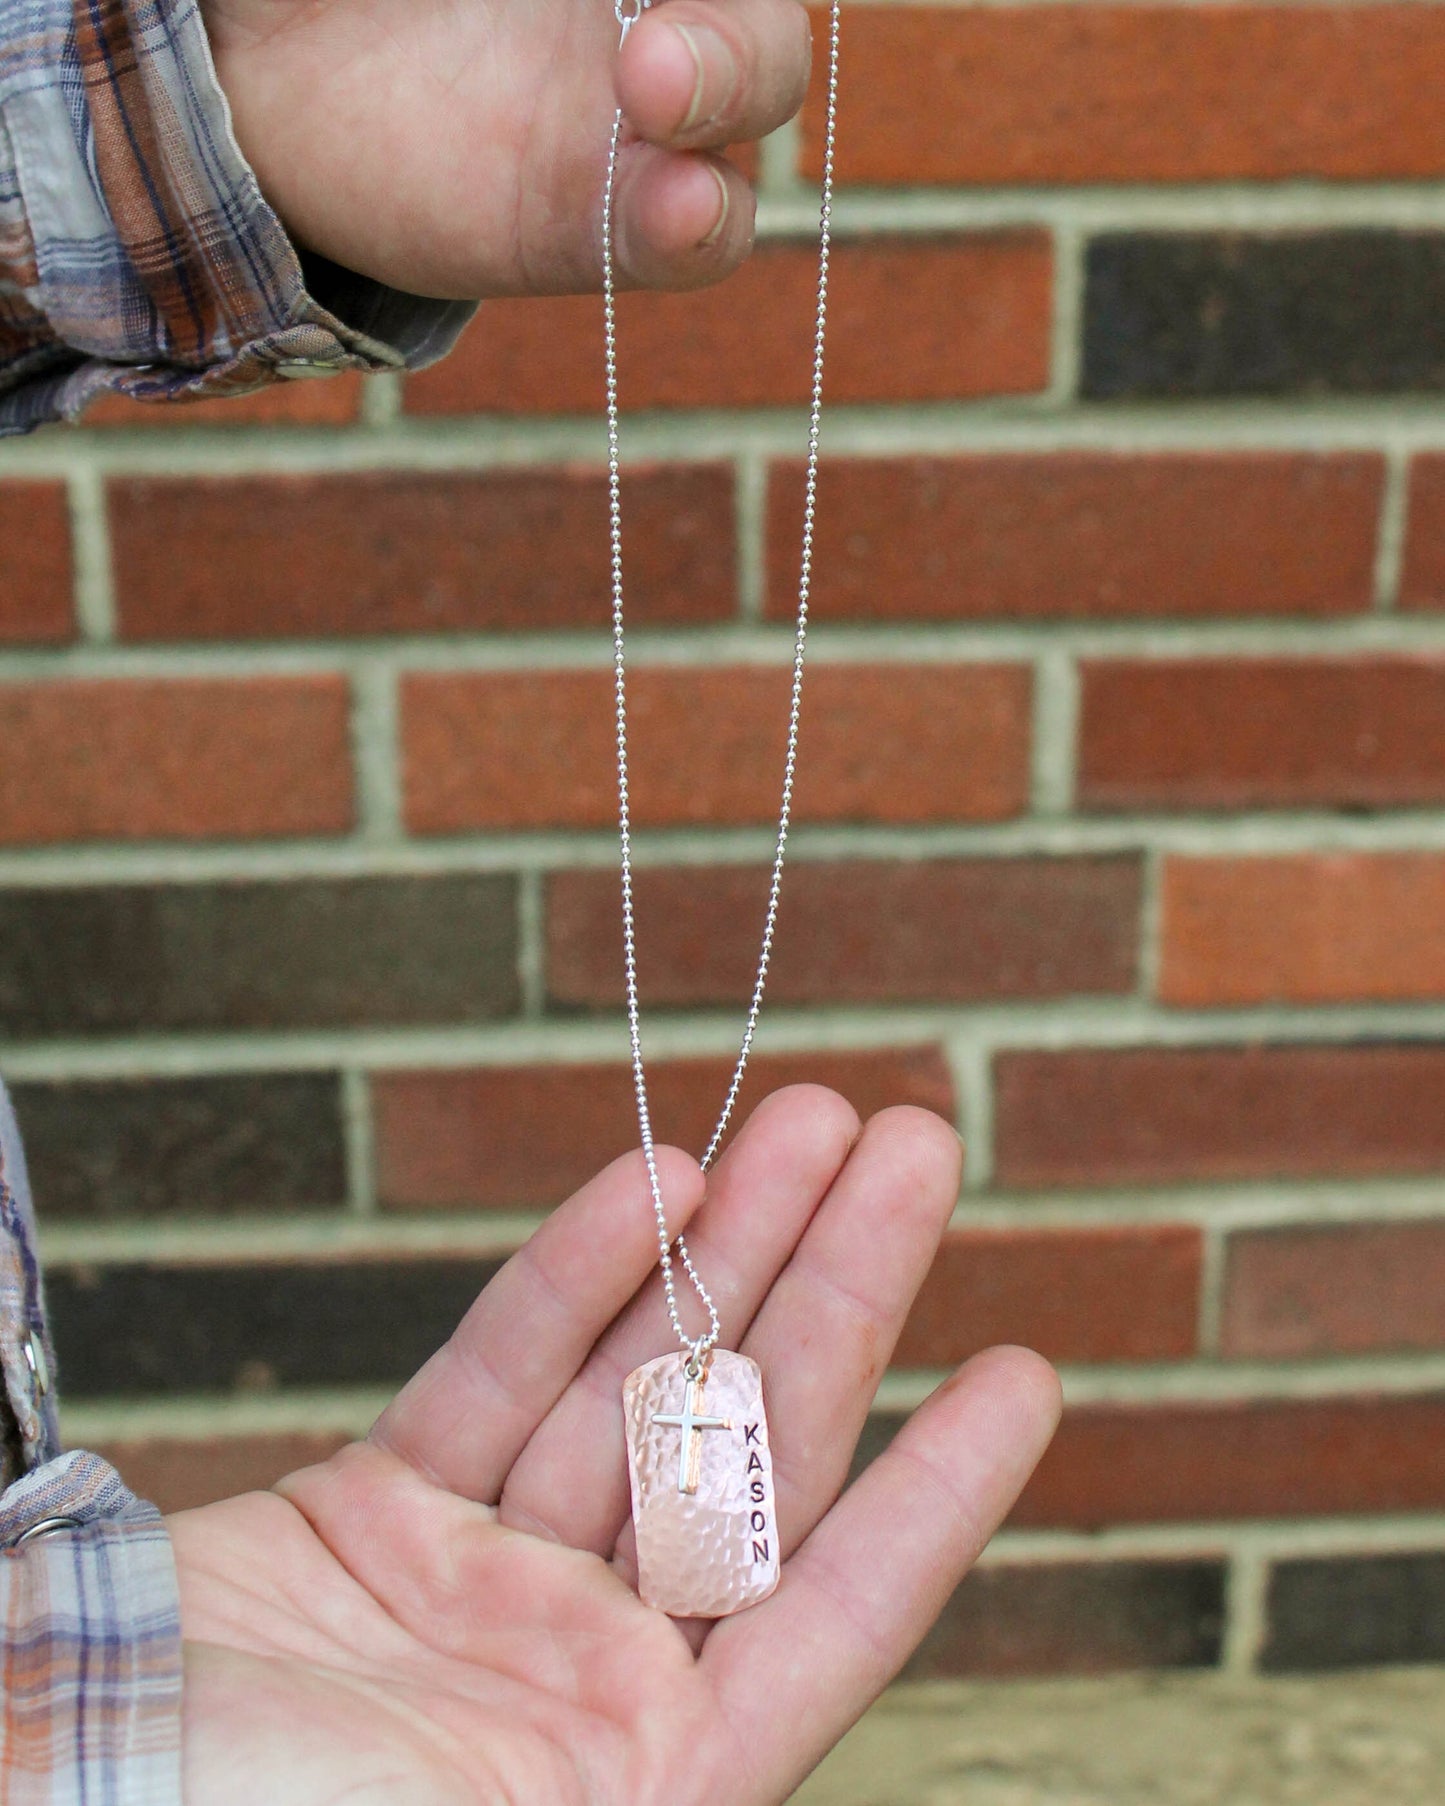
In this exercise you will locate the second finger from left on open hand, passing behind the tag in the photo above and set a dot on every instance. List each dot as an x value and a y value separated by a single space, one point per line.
572 1480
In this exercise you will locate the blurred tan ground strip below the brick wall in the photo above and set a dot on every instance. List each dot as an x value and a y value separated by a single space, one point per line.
1368 1738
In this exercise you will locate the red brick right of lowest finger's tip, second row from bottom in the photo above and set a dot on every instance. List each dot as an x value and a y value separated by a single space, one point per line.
1258 1458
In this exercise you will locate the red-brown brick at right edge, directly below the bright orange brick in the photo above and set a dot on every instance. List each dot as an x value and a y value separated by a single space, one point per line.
1157 1115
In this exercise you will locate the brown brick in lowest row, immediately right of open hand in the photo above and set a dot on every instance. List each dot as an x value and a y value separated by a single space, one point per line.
1077 1619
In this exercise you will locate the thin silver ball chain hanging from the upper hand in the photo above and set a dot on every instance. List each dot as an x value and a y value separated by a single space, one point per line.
629 12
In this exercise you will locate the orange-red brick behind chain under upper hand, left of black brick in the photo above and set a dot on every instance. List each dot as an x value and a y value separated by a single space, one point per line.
965 317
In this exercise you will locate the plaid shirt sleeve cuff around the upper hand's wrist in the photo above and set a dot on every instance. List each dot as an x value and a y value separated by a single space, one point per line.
136 248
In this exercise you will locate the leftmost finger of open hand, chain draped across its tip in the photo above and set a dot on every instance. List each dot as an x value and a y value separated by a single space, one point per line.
463 1419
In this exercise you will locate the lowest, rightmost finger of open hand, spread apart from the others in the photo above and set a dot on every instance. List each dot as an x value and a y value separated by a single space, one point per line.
855 1601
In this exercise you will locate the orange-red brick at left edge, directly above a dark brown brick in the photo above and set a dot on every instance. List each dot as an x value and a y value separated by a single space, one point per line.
189 759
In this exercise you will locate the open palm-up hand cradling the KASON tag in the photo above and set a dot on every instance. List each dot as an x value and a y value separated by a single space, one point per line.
443 1614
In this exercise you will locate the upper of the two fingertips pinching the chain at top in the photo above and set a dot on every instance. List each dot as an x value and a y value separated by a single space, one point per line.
700 75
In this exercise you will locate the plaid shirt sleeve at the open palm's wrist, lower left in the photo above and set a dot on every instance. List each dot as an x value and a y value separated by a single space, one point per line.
91 1657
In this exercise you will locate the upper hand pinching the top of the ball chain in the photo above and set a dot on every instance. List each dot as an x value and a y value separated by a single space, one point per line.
460 149
